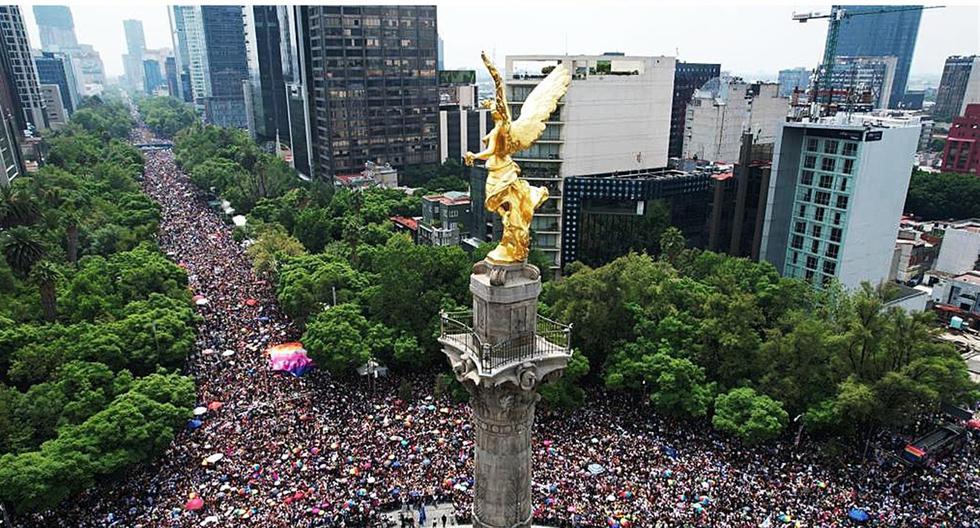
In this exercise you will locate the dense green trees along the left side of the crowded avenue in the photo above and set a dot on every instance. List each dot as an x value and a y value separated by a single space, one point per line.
94 319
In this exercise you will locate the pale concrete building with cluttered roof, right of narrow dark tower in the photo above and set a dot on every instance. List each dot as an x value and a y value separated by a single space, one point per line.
718 115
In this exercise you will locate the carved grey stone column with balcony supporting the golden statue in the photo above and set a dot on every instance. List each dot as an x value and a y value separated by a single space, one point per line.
501 360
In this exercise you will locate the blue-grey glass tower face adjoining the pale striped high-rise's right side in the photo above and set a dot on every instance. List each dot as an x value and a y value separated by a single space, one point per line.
224 38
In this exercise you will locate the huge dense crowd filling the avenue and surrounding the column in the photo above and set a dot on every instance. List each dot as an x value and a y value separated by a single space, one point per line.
316 451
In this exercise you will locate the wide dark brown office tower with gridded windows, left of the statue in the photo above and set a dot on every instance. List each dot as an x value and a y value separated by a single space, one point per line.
373 93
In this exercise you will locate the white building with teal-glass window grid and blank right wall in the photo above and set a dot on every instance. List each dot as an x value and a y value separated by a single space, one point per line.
836 196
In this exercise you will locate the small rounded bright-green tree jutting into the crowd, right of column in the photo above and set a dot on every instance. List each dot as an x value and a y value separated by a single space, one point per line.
751 417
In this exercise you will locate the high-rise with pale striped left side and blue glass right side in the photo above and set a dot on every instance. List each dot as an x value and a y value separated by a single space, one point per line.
210 47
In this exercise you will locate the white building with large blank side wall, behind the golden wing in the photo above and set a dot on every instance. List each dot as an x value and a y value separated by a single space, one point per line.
614 117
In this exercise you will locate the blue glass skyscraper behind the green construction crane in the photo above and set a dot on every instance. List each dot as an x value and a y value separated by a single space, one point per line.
881 35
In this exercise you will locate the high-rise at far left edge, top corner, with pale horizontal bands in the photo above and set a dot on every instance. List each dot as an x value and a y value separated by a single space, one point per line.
18 66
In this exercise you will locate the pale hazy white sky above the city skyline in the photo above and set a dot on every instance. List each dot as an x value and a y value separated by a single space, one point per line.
746 38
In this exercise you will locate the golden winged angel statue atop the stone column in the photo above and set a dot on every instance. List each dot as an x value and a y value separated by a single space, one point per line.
506 194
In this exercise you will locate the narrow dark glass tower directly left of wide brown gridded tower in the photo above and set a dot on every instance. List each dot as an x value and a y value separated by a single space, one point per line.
267 41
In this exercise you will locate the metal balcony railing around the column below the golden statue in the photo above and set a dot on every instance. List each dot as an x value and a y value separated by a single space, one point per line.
550 338
